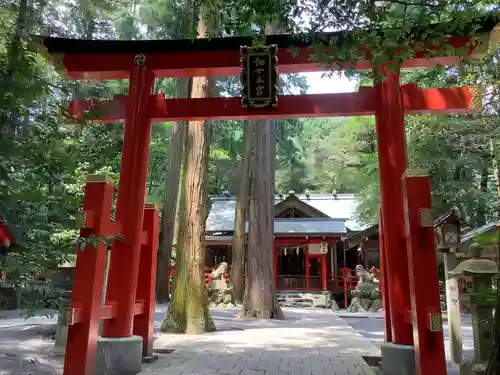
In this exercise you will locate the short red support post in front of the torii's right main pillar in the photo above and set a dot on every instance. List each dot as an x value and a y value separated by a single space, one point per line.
424 284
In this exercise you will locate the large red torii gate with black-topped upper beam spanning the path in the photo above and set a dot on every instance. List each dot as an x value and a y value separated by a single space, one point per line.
143 61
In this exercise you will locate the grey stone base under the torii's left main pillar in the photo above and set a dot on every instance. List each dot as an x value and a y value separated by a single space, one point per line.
119 356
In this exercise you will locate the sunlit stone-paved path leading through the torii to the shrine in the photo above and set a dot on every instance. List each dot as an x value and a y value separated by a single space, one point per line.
308 342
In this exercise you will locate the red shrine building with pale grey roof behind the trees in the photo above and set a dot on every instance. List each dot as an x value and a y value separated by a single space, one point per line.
311 251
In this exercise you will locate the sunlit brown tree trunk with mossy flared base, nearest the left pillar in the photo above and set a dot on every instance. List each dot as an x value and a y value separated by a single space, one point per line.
188 310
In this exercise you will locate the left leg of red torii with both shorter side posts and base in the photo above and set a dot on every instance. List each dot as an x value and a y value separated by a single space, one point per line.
128 313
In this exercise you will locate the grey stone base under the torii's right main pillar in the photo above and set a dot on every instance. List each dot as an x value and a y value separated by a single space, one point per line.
398 359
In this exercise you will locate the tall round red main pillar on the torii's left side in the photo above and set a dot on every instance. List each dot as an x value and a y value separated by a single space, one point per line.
124 266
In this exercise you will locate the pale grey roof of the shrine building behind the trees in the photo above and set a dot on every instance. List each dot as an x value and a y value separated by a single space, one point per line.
338 210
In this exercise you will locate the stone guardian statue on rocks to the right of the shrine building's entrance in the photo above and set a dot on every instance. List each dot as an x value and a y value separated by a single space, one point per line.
366 295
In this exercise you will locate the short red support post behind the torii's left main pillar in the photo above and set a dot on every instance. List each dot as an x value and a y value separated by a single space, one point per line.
146 283
